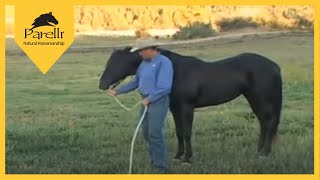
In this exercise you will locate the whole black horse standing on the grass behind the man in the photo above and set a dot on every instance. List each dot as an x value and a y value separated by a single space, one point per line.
197 84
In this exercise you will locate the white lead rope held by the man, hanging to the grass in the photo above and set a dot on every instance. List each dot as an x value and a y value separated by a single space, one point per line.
137 128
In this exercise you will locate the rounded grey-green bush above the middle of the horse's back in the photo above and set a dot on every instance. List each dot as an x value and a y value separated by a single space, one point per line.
195 30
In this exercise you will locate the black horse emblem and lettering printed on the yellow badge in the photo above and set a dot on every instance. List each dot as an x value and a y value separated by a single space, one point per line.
37 32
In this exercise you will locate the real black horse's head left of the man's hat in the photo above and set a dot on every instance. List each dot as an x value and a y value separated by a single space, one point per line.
121 64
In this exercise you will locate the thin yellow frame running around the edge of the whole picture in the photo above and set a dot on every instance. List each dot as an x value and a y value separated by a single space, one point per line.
316 4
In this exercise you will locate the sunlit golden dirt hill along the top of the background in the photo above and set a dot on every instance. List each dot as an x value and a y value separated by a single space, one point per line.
102 18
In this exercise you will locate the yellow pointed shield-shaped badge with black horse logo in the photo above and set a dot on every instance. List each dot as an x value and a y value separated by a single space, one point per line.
44 33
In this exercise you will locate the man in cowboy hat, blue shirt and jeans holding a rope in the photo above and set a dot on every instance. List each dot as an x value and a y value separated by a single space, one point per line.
154 81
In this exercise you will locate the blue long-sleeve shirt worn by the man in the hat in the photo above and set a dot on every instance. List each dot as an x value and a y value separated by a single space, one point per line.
153 78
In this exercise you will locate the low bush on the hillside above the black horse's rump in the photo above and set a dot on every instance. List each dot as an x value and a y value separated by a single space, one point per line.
236 23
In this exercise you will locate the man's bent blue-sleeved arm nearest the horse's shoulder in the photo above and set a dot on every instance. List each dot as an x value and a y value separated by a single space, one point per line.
164 82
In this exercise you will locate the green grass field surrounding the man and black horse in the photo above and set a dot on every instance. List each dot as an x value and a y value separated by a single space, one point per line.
62 123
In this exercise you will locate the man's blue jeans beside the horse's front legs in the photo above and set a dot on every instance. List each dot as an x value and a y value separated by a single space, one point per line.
153 131
